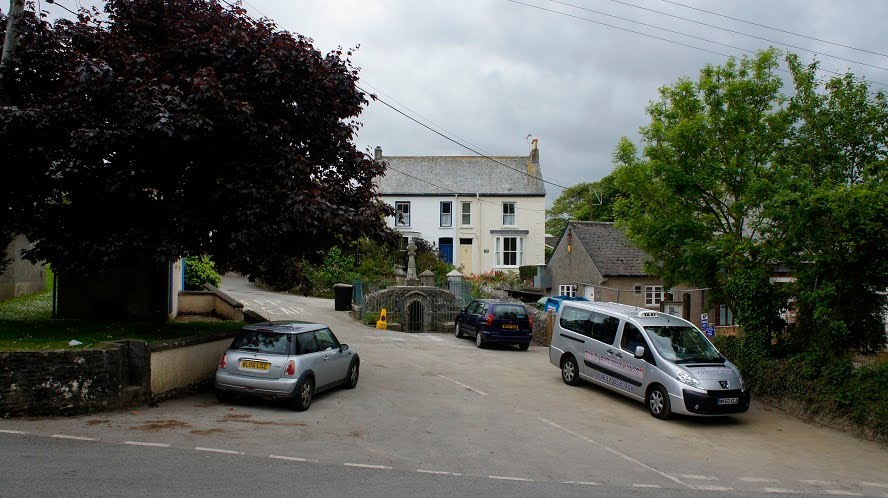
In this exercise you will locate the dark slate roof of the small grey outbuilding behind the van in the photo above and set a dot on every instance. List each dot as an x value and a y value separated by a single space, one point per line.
609 248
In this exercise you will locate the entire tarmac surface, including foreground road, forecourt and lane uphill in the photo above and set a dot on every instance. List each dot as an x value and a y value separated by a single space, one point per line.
433 414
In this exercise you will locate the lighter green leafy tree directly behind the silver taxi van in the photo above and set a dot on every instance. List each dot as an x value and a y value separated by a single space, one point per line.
696 199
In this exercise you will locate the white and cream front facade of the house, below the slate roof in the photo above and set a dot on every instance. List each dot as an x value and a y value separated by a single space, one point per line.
488 241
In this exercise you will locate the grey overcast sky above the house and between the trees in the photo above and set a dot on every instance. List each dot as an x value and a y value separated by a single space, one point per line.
492 72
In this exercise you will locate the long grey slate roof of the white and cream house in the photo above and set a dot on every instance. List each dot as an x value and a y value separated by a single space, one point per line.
414 175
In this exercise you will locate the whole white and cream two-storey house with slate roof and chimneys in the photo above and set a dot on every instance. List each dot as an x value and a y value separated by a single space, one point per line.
481 214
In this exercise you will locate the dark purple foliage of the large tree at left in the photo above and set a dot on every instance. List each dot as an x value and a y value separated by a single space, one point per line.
175 127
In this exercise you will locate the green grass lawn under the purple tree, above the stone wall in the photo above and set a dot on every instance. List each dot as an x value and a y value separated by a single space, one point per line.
26 324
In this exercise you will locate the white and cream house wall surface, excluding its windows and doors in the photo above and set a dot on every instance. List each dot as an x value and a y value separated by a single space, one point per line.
486 215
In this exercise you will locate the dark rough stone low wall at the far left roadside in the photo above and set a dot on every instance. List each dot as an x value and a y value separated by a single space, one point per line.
61 382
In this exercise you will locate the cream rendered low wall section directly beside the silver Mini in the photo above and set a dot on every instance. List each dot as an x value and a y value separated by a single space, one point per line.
181 365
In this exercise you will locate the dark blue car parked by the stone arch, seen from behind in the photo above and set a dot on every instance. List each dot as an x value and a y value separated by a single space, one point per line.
492 321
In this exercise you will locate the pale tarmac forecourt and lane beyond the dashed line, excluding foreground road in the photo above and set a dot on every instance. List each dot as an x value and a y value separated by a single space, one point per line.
436 405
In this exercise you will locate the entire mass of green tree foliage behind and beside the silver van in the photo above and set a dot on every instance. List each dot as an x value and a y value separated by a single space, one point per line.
736 177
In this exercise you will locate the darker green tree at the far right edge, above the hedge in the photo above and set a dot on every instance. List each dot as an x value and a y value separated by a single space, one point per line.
830 213
